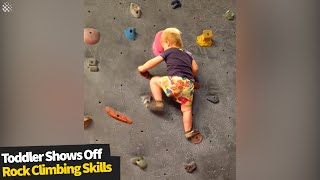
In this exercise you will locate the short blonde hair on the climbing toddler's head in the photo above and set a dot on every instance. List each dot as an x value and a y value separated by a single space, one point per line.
173 35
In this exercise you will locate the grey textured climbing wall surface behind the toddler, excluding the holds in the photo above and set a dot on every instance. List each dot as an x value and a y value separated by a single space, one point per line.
160 138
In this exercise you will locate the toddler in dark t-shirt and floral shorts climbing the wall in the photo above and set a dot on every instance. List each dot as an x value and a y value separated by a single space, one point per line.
179 83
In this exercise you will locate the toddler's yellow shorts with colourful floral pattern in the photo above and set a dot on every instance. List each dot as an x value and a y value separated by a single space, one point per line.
179 88
